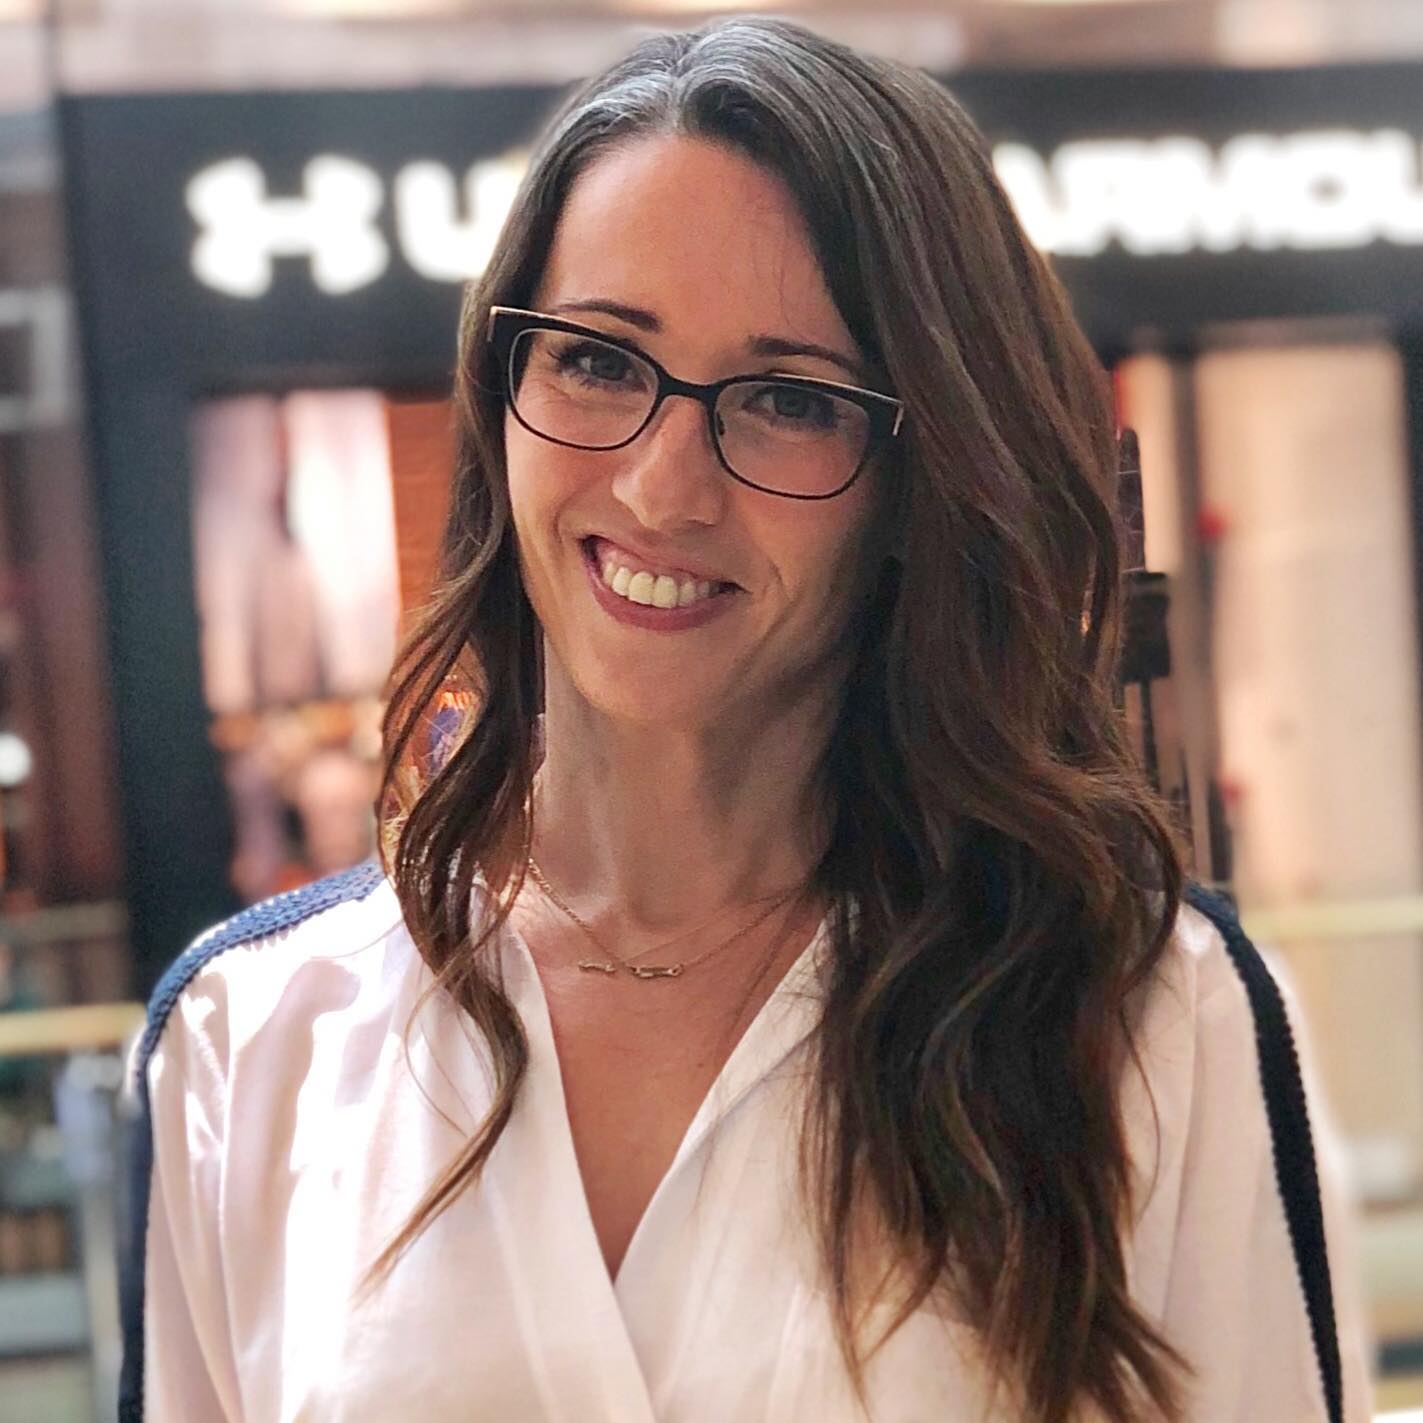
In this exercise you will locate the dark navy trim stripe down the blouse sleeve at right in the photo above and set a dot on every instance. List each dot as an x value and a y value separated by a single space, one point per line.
1294 1150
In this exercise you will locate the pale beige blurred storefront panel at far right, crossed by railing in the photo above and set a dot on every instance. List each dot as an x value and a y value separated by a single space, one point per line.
1304 460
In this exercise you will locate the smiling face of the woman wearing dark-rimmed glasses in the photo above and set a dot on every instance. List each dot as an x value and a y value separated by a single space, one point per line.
699 258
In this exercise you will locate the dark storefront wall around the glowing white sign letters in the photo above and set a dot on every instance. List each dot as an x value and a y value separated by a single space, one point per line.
157 338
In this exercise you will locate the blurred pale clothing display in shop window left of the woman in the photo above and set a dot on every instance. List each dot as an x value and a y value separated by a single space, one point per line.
297 590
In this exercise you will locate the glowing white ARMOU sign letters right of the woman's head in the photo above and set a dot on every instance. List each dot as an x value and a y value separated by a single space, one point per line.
1310 193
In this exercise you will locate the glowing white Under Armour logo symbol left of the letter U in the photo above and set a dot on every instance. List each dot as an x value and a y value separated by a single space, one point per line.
244 230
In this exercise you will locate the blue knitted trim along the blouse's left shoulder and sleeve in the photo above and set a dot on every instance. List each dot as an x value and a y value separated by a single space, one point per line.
285 911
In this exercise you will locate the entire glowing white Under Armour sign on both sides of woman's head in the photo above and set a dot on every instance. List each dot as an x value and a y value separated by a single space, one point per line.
1165 197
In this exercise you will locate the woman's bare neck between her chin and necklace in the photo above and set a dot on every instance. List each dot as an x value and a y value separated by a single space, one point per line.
657 829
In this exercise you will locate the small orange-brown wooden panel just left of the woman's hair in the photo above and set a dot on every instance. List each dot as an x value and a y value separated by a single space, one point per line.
422 466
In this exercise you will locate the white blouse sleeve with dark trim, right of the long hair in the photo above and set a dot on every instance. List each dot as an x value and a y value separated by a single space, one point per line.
1250 1298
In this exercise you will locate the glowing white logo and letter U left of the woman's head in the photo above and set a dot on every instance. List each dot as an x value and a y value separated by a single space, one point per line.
446 227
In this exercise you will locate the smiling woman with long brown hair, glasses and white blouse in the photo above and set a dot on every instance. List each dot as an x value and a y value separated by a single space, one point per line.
778 1001
